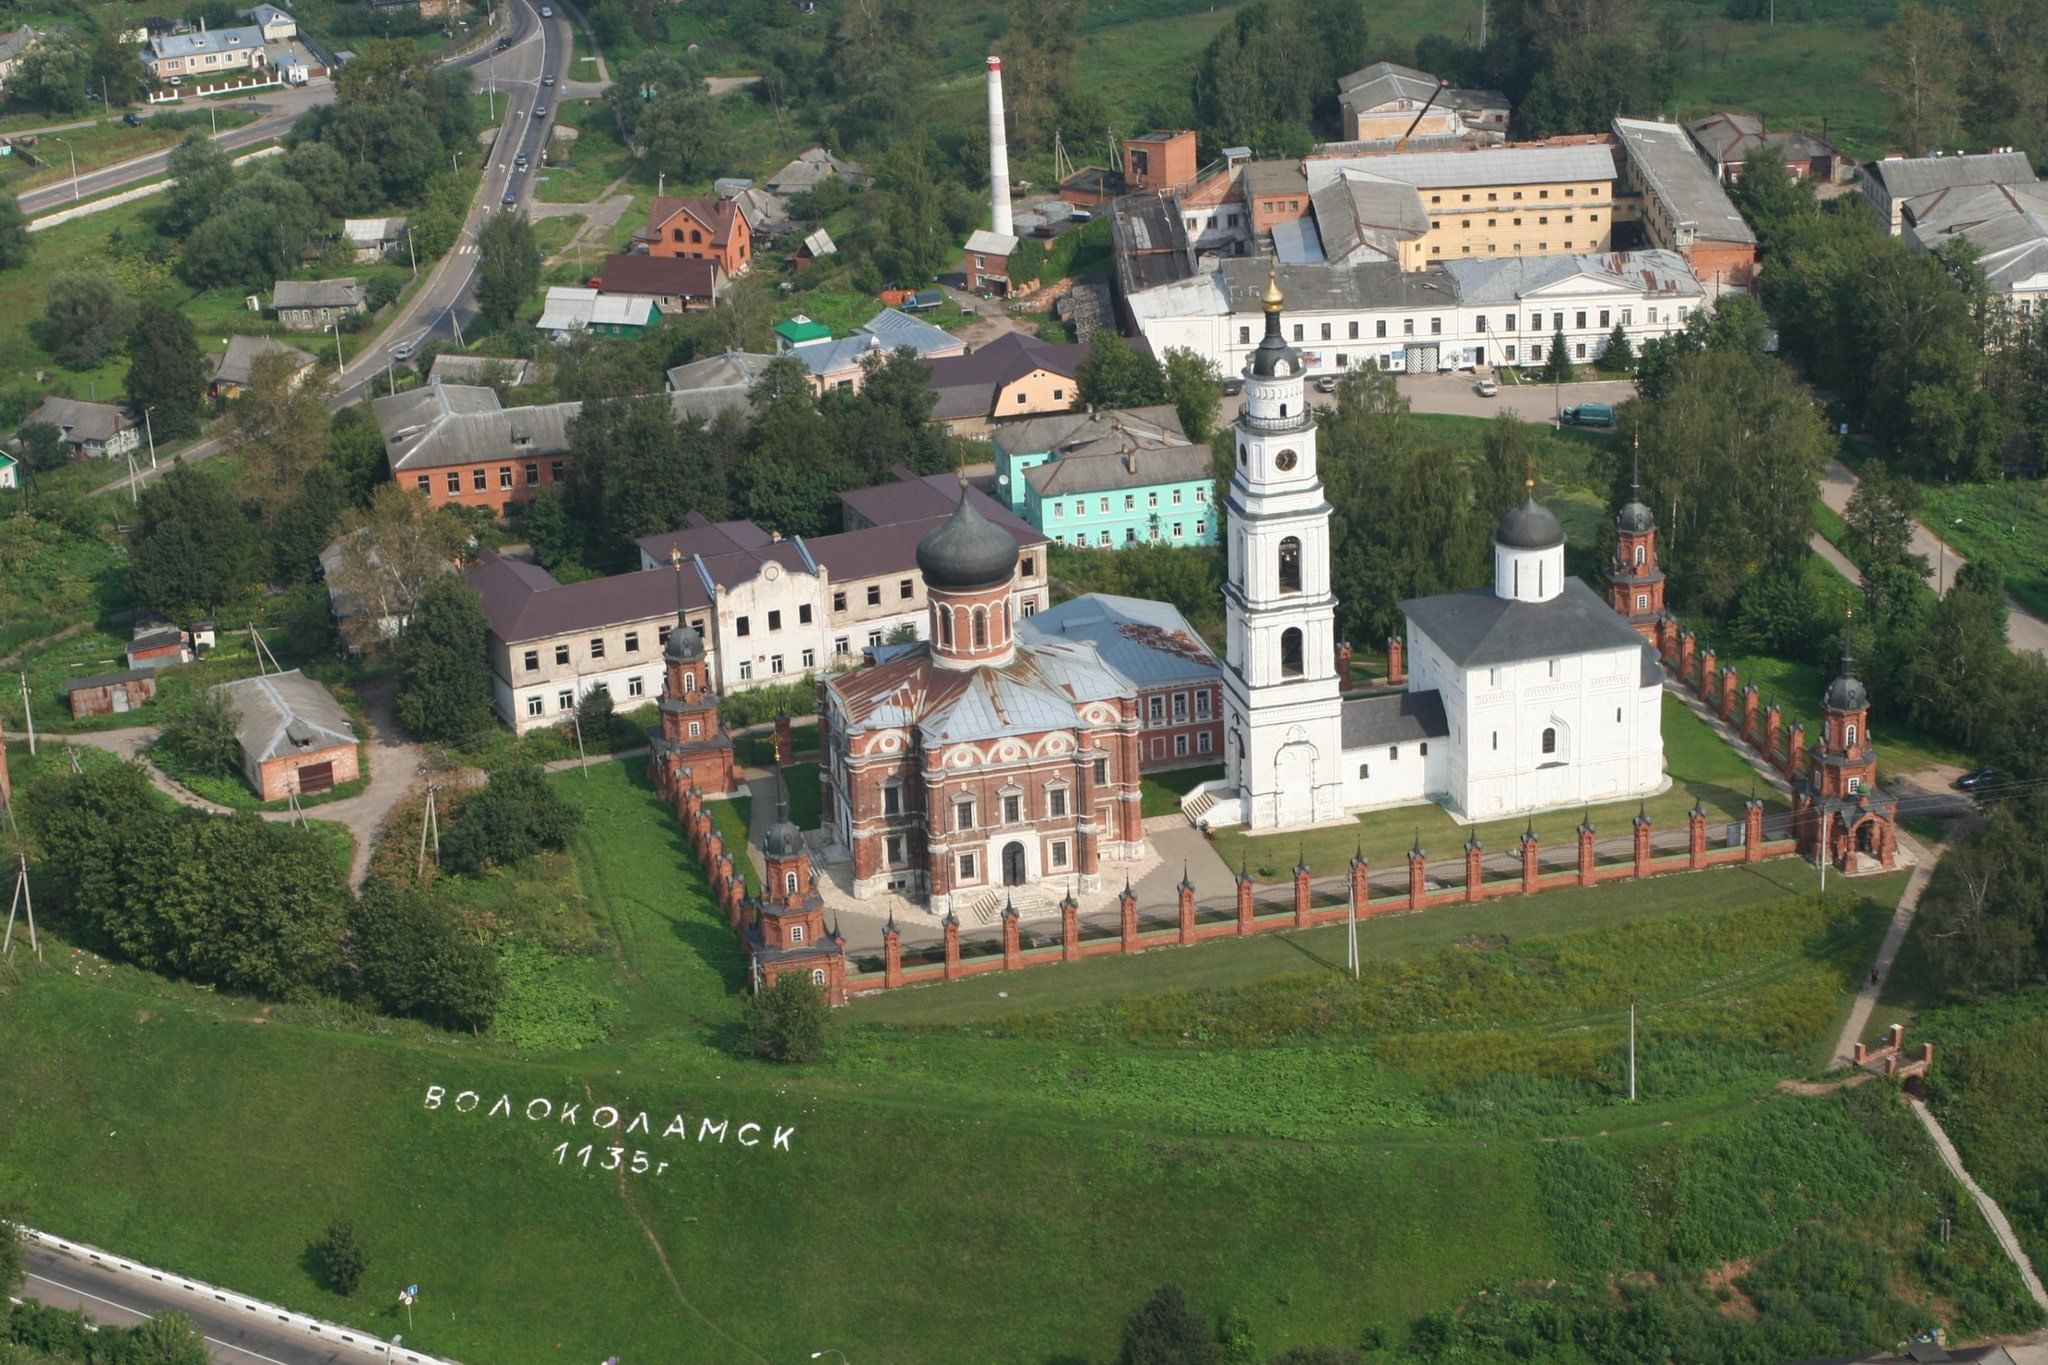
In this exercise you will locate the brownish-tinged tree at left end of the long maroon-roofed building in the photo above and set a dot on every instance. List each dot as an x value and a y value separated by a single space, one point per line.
390 558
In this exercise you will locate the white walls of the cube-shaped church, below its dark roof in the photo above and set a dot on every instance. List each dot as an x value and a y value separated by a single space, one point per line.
1605 734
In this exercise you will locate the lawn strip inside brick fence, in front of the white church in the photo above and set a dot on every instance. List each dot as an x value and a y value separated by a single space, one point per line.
1703 770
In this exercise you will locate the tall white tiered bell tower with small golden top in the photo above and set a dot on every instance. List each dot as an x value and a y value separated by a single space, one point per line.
1281 691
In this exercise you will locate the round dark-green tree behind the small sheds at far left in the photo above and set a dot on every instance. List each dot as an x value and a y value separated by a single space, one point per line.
194 549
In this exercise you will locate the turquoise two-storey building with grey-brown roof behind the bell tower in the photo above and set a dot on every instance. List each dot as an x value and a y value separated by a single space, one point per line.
1107 480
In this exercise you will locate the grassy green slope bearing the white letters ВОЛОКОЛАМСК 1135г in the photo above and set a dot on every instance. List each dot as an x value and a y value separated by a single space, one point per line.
1406 1116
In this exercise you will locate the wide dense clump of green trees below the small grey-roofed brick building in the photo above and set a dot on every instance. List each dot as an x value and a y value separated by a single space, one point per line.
226 901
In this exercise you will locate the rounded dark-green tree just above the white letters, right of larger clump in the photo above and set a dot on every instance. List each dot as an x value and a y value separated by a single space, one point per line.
415 963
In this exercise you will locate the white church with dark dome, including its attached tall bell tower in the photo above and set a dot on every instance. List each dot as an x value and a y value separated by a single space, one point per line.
1523 697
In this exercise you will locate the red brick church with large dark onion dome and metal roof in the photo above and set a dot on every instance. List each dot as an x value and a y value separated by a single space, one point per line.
972 762
